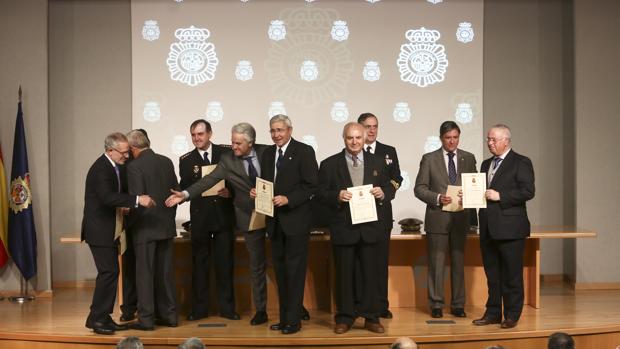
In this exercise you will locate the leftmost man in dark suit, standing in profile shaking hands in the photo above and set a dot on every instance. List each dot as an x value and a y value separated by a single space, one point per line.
102 196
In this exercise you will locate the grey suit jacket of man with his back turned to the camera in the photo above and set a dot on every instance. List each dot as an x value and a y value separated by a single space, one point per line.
152 174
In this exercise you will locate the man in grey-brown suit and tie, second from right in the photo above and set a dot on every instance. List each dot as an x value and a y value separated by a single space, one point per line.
445 231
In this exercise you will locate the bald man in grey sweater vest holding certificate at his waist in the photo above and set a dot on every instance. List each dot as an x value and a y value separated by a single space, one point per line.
350 242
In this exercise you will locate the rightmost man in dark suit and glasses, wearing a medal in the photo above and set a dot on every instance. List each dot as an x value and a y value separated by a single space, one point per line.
504 225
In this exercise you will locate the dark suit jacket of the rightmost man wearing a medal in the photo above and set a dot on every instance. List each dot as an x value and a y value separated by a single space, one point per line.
514 180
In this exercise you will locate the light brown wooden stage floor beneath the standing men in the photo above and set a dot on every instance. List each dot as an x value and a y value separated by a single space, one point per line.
591 316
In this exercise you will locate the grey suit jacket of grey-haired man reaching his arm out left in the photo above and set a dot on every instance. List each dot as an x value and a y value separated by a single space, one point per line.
232 169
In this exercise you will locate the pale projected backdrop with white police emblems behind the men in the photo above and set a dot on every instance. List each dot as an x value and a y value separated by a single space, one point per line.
413 63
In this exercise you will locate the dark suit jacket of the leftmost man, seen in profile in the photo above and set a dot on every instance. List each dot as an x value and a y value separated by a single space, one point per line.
101 198
